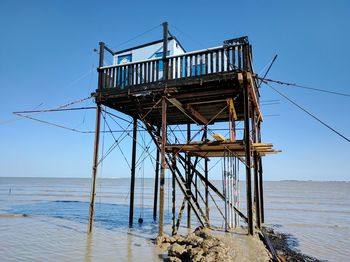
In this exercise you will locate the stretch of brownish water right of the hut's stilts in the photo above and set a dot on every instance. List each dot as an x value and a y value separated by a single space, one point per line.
316 213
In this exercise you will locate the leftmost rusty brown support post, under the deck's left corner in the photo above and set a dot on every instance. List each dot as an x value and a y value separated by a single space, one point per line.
94 168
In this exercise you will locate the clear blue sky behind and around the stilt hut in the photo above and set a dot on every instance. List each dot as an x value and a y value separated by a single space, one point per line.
47 59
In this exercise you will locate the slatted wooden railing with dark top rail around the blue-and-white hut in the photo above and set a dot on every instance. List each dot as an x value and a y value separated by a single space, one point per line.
192 64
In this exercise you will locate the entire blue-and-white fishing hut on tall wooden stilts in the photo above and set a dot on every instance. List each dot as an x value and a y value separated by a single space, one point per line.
191 89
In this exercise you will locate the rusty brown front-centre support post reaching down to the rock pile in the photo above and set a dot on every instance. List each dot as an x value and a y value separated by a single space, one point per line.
163 165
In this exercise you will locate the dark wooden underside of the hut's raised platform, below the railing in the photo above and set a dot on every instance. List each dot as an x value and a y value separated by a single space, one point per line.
200 99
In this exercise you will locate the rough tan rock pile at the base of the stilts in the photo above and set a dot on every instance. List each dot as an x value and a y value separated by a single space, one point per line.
197 246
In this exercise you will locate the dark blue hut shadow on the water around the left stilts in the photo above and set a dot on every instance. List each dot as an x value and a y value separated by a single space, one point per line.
107 216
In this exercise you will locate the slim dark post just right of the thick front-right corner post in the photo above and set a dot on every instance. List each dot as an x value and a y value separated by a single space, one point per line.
256 175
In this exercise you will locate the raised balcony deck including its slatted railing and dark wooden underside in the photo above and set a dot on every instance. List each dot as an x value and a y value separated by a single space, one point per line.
198 85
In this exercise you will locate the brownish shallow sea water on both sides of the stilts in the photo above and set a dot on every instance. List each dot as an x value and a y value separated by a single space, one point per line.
316 213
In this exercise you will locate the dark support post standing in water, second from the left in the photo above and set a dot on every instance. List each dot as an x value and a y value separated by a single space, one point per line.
133 172
